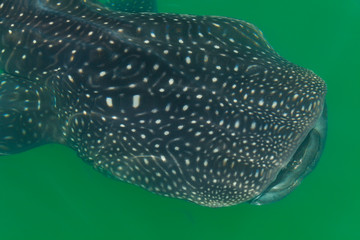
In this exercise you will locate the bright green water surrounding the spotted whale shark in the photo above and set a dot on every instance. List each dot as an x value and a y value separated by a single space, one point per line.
49 193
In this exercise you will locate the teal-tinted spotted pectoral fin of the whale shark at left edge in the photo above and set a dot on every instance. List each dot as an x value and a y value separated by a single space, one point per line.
26 117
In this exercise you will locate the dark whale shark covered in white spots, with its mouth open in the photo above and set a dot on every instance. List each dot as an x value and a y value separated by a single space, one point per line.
192 107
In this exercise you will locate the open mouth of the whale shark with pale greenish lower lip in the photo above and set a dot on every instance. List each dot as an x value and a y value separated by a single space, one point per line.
301 164
